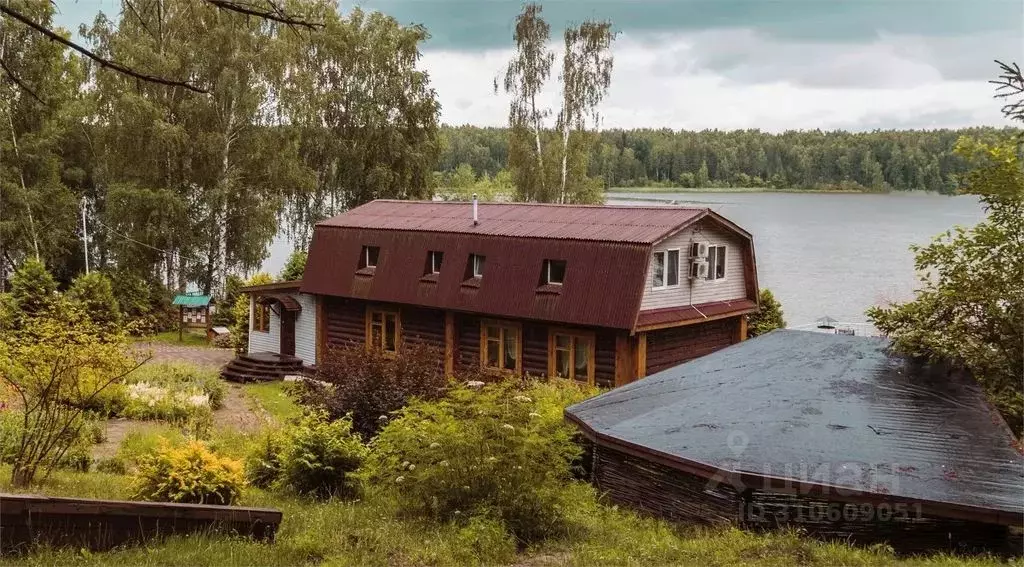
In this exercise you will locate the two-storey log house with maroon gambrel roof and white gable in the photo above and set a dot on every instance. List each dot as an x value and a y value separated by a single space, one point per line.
596 294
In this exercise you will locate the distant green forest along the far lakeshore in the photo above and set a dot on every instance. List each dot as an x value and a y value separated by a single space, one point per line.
813 160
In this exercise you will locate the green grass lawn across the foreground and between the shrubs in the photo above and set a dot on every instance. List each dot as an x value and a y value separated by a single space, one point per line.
372 532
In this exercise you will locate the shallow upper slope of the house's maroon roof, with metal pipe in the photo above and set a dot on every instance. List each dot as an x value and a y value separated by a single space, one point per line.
575 223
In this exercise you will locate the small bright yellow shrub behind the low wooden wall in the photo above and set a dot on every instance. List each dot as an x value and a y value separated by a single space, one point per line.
191 474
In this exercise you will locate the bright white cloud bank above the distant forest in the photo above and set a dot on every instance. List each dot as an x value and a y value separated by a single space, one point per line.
733 79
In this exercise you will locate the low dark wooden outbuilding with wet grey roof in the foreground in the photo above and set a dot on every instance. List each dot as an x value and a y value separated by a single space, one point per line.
831 433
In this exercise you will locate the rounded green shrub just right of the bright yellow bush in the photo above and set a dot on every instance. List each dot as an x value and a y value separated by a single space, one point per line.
314 457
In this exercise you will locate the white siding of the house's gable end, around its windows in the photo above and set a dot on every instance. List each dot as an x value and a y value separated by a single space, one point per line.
696 292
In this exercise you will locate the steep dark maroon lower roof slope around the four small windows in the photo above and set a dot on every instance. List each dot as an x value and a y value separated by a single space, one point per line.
604 281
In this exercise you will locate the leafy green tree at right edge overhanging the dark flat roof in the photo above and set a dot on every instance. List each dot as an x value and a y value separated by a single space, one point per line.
970 307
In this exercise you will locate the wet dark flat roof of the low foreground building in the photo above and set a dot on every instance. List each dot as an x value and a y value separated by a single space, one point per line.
830 414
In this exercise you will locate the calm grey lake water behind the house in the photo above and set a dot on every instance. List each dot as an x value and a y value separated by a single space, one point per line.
835 254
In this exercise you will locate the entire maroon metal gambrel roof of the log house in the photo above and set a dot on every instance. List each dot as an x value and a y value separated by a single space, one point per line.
607 250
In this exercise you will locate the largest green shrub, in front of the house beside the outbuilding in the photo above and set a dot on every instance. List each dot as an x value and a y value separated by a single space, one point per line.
502 451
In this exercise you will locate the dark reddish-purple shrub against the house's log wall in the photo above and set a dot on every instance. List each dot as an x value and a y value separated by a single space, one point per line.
368 385
